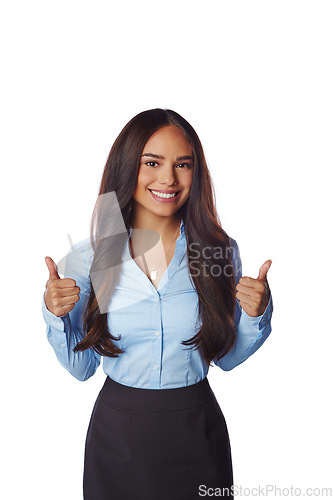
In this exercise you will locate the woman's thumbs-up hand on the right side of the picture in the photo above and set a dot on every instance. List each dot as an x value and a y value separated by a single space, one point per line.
253 294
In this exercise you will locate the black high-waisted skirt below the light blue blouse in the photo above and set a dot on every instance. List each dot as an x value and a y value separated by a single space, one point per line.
156 444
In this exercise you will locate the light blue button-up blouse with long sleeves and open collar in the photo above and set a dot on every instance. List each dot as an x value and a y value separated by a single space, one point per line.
152 324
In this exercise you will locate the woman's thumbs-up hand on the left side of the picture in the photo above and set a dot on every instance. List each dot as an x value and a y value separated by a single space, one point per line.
61 294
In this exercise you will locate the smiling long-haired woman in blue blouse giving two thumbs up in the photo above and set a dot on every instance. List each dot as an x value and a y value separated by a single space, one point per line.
154 292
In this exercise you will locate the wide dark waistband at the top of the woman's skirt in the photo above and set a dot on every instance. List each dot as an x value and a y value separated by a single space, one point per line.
155 400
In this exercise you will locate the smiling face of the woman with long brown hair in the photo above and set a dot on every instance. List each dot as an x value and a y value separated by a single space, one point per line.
166 166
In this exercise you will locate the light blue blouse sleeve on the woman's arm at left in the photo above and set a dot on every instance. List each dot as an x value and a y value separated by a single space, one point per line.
63 333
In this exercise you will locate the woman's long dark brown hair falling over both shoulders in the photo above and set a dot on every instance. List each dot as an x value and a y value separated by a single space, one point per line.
216 291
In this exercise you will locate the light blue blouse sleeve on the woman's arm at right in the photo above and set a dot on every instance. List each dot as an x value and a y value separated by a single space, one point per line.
251 332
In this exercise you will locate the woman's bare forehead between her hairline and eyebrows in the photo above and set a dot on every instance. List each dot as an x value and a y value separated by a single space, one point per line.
168 139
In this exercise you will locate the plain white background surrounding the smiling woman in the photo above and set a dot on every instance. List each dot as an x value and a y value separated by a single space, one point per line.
255 80
